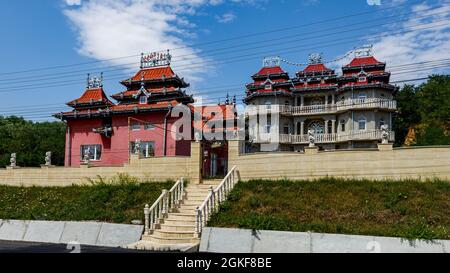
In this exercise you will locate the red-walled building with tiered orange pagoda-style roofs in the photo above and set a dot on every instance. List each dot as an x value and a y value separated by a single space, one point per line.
107 132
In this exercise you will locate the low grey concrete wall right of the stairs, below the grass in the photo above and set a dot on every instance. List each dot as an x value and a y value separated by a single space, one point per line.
228 240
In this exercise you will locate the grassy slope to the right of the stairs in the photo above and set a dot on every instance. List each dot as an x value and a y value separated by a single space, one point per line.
409 208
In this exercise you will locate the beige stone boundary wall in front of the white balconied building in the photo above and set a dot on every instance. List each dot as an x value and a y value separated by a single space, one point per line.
420 162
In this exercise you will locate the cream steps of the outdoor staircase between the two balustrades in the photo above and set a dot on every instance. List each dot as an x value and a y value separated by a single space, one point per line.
177 230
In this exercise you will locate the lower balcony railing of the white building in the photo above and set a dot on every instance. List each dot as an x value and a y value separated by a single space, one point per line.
333 138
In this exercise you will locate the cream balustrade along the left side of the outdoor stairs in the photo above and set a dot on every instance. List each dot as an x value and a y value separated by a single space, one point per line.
167 201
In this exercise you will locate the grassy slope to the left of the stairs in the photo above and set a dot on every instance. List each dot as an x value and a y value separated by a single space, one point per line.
119 200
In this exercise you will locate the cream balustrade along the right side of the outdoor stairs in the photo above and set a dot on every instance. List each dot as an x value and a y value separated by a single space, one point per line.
214 199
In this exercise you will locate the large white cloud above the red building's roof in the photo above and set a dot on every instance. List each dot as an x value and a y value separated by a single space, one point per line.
108 29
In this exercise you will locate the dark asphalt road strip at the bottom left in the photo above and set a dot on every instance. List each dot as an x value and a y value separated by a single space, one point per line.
31 247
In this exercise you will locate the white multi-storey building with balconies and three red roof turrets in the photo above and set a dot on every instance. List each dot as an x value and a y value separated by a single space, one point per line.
344 111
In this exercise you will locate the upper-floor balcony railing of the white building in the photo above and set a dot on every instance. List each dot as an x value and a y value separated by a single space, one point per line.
370 103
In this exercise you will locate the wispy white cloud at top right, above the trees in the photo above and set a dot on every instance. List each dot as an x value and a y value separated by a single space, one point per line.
429 41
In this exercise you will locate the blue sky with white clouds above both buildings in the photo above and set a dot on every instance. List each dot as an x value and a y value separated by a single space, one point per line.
39 35
